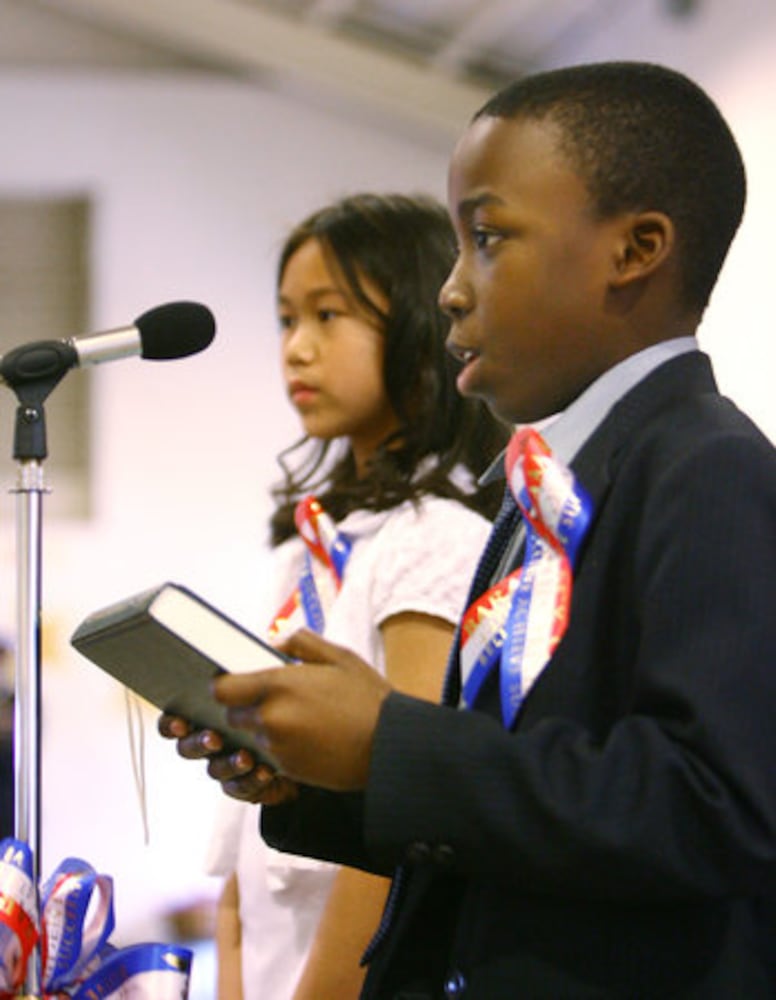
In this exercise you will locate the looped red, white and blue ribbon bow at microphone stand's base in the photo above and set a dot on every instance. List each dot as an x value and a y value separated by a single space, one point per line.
77 960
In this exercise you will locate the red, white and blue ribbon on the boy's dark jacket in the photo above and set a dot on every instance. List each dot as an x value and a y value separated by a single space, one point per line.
516 626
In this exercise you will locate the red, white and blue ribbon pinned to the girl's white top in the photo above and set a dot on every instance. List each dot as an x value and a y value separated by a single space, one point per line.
326 555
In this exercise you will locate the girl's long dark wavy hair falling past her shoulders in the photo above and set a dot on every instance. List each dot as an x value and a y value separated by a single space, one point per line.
405 247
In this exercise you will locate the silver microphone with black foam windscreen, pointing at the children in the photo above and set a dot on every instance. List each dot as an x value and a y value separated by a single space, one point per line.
173 330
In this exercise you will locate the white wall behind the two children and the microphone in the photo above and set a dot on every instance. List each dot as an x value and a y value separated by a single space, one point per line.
194 182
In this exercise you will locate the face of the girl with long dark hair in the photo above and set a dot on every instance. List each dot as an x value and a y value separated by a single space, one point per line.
332 354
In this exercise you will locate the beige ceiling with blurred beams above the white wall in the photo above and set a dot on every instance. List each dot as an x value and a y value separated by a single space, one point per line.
421 62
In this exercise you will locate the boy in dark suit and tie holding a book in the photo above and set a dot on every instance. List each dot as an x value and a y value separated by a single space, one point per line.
612 832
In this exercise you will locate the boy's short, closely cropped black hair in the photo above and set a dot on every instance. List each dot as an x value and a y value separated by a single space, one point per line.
644 137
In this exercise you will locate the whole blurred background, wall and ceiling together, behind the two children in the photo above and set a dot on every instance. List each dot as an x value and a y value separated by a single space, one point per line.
159 149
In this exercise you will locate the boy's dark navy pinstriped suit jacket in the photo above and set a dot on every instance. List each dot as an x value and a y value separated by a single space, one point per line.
620 841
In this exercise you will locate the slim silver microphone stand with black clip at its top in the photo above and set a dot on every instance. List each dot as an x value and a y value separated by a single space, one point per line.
32 373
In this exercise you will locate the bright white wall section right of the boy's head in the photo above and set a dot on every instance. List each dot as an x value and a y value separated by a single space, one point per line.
730 50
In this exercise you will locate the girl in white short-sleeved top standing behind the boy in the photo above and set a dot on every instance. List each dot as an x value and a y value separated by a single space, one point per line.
379 560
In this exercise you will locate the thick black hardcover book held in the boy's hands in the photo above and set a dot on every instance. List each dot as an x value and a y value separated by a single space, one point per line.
167 644
